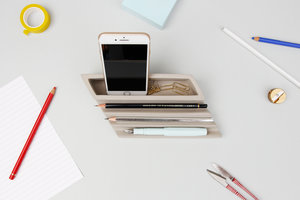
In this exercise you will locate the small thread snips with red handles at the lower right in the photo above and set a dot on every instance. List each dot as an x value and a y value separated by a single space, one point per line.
224 176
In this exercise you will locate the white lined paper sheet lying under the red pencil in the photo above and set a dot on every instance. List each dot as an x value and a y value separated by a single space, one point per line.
47 167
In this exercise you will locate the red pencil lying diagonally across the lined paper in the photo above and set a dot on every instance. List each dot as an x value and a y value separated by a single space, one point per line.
32 133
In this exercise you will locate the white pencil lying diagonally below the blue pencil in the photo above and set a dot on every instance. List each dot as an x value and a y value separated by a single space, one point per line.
262 57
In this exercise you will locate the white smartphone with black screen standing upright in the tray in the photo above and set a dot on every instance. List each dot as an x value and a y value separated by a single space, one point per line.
125 59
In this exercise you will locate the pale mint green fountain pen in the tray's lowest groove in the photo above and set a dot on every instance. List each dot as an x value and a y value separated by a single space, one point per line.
168 131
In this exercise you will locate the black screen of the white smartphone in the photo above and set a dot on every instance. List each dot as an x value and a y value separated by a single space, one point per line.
125 66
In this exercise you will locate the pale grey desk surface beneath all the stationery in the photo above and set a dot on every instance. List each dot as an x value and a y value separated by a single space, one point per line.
260 142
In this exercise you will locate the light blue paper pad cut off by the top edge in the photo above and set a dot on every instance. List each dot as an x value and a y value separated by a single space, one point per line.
154 11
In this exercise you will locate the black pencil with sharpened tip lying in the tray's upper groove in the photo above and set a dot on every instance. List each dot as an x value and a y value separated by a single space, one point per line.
128 105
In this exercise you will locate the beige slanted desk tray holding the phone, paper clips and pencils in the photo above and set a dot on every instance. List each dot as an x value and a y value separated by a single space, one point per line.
96 85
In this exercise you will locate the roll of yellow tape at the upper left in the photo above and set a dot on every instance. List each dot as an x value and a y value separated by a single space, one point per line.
27 11
